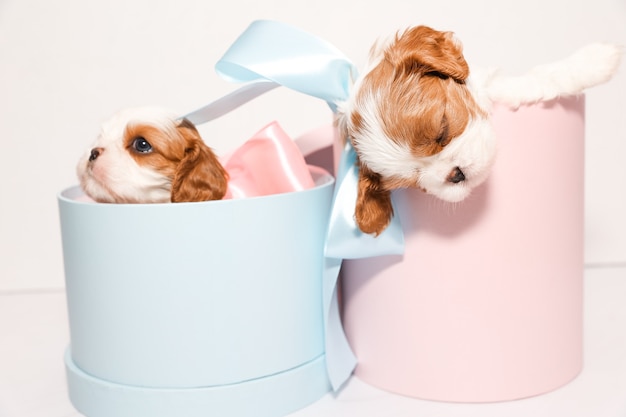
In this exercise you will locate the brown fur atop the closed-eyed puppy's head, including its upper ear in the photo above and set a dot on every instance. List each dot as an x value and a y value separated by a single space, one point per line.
422 97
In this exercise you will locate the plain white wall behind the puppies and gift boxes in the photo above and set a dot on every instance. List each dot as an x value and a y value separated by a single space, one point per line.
67 65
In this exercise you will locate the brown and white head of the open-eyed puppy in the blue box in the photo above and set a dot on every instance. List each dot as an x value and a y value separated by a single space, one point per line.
146 155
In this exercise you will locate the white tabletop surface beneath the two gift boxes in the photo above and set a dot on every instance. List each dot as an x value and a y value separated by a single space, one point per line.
34 334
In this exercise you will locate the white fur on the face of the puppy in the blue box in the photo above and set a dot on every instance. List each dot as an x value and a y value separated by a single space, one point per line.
114 175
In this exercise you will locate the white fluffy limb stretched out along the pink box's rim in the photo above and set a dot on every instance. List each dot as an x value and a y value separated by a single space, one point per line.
589 66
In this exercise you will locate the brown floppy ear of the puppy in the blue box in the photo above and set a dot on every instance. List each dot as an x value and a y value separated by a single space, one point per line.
199 175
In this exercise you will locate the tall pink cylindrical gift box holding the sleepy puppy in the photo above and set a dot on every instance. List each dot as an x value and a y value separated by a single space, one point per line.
486 302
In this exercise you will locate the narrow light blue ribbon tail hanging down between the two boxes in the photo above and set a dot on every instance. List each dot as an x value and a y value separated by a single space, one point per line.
340 360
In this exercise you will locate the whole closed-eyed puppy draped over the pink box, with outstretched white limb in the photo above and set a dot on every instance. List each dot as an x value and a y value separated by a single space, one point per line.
416 117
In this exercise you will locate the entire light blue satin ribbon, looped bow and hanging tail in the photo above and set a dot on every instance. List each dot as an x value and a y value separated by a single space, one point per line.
268 54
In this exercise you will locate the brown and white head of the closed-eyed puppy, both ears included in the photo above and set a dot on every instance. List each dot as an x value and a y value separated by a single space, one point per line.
414 122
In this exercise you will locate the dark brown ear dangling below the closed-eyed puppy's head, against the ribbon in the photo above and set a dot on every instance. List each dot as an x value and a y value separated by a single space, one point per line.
373 210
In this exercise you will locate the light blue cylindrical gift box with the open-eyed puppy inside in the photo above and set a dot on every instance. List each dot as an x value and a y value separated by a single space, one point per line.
196 309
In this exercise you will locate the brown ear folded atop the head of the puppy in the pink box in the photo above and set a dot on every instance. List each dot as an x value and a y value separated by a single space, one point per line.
425 50
